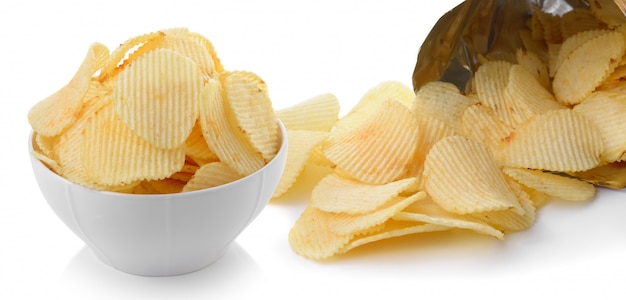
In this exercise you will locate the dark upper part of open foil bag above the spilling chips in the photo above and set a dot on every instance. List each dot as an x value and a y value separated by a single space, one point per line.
480 27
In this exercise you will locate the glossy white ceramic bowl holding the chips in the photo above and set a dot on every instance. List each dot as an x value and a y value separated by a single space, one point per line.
161 235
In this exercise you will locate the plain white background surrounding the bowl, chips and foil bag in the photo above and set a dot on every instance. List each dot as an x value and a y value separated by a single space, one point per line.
301 49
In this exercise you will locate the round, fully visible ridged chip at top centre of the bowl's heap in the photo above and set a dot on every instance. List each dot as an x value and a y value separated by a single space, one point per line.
157 98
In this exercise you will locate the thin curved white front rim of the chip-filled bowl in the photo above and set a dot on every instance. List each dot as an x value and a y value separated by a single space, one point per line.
281 151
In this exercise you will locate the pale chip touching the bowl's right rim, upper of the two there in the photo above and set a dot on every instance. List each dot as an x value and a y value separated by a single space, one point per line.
319 113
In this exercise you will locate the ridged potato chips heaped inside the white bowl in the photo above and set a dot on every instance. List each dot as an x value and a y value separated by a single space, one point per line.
159 114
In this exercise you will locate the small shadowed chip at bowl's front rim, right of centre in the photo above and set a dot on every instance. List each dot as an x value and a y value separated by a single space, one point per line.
211 175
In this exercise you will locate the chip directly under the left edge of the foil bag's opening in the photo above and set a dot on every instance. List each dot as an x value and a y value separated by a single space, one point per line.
441 100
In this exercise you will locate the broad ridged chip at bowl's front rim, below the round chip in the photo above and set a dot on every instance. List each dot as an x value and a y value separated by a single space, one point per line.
114 155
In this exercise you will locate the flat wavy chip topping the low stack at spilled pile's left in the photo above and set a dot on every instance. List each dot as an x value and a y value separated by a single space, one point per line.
342 195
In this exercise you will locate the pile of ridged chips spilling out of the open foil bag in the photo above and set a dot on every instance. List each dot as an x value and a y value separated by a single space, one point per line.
547 123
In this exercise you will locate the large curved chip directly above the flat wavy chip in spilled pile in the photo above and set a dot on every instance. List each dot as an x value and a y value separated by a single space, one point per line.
379 150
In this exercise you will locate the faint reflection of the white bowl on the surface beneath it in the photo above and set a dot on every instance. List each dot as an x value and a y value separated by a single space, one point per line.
86 273
